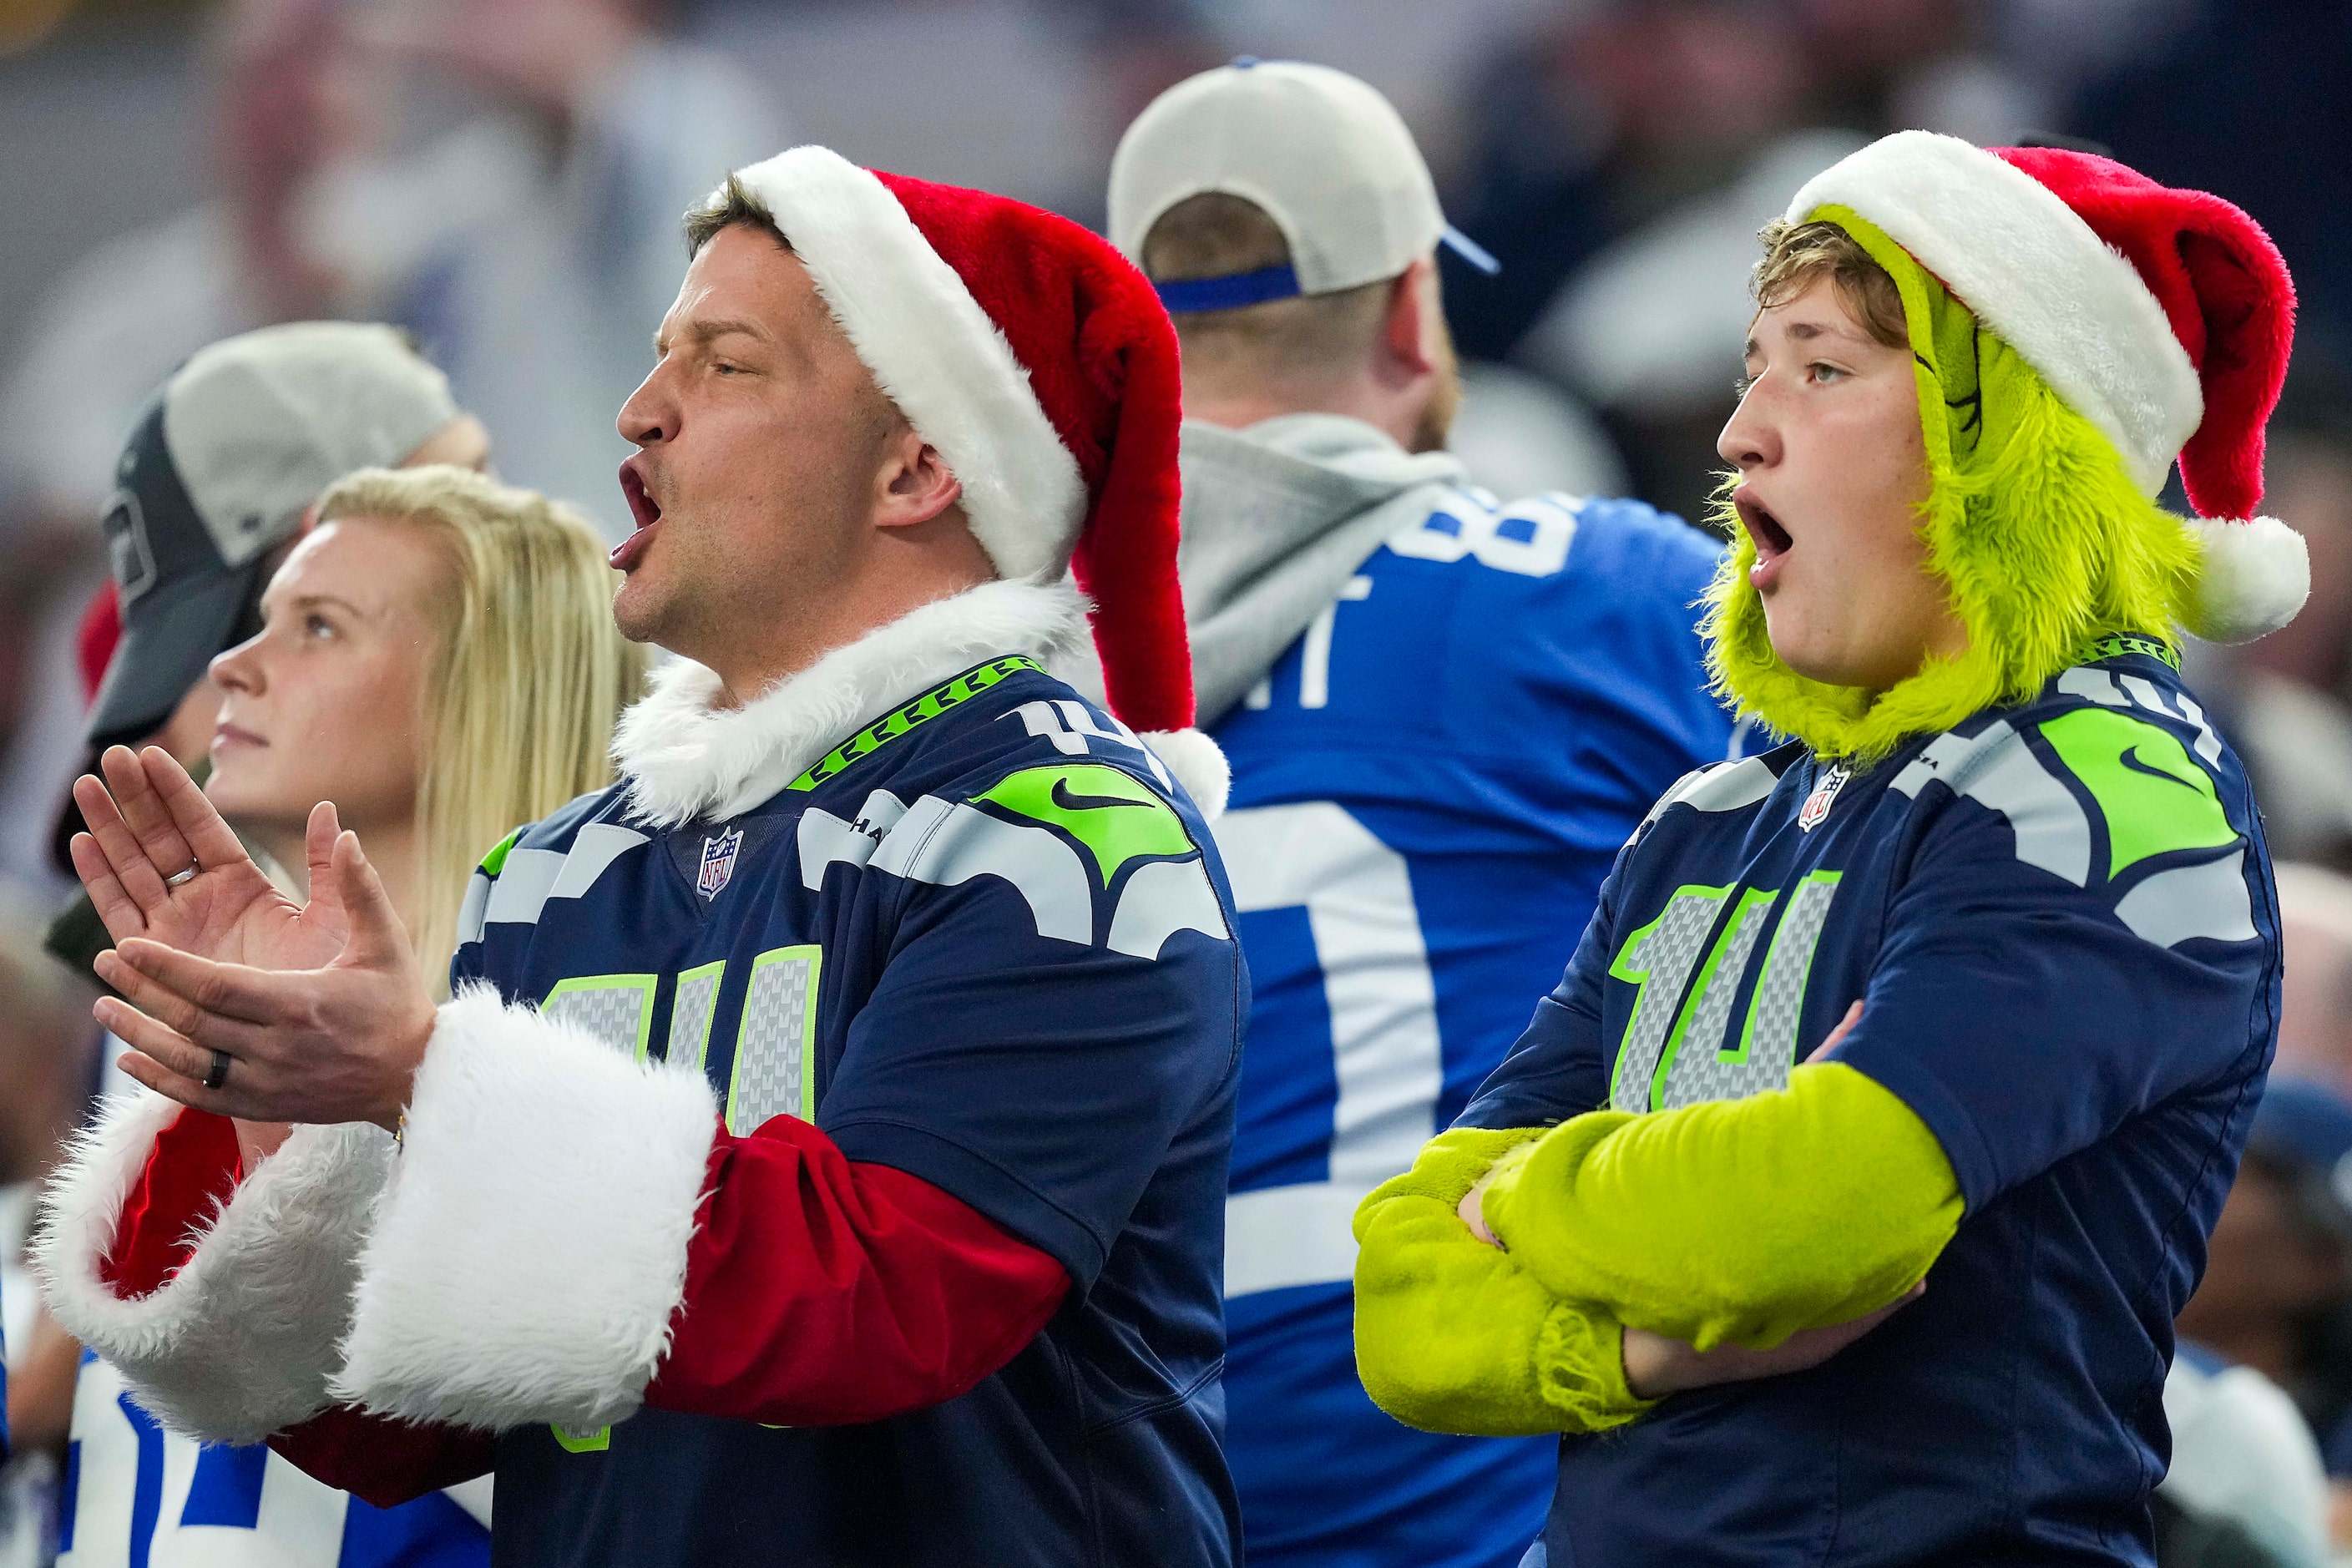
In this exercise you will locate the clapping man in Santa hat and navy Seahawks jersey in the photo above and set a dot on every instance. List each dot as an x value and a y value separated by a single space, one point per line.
824 1153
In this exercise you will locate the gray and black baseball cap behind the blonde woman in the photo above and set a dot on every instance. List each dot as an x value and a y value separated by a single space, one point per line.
222 469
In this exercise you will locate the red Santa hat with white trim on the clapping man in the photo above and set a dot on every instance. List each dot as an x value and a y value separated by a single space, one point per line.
1041 366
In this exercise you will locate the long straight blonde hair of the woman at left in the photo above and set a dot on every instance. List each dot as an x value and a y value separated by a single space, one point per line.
526 678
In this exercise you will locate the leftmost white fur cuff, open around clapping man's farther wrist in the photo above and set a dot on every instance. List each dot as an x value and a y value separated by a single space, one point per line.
241 1341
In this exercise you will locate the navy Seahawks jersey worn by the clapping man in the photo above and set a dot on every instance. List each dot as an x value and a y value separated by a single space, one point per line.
989 944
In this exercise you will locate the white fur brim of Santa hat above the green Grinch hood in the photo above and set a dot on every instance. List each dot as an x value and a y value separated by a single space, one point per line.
2038 276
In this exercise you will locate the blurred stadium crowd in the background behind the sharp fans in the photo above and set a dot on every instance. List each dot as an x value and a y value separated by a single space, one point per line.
502 180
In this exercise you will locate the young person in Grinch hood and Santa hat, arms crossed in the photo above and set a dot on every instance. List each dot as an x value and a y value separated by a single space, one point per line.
1972 981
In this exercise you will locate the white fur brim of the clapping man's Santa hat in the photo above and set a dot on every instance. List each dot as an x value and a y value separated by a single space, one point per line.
935 354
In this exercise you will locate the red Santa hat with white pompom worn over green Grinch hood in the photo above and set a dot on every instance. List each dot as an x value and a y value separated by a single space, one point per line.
2160 316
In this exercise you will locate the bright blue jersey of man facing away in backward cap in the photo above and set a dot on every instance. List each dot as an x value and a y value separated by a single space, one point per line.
1426 796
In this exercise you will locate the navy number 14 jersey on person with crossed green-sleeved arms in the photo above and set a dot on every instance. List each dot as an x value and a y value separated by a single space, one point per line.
2062 925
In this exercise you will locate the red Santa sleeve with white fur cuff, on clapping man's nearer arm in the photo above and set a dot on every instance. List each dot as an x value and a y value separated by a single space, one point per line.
566 1224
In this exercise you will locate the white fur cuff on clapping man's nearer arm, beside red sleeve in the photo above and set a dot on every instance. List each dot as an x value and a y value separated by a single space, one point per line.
533 1242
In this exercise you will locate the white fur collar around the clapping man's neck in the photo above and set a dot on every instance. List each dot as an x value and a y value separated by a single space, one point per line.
690 760
